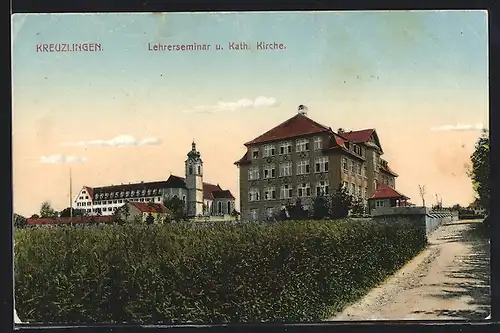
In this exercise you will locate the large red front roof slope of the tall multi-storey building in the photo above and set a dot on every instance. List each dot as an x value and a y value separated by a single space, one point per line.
296 126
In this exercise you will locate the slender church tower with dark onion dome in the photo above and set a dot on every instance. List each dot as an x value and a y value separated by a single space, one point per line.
194 182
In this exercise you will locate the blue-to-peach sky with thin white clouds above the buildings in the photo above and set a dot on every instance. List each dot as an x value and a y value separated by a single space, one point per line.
128 114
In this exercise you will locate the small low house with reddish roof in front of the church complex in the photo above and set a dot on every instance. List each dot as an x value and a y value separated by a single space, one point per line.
140 211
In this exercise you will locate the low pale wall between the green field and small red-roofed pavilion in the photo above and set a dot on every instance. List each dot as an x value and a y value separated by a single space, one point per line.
427 218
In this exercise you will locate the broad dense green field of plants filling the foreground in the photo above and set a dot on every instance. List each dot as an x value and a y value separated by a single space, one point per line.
287 271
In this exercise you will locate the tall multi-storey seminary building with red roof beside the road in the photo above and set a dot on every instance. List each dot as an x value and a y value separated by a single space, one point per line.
302 158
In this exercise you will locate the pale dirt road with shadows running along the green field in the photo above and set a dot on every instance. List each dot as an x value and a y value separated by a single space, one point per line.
449 280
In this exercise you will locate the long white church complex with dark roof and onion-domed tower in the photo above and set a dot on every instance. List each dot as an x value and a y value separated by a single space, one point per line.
200 198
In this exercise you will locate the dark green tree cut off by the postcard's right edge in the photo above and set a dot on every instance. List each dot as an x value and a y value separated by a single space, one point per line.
480 171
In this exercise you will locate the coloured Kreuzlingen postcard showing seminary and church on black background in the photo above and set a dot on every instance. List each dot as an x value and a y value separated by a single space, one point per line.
249 167
